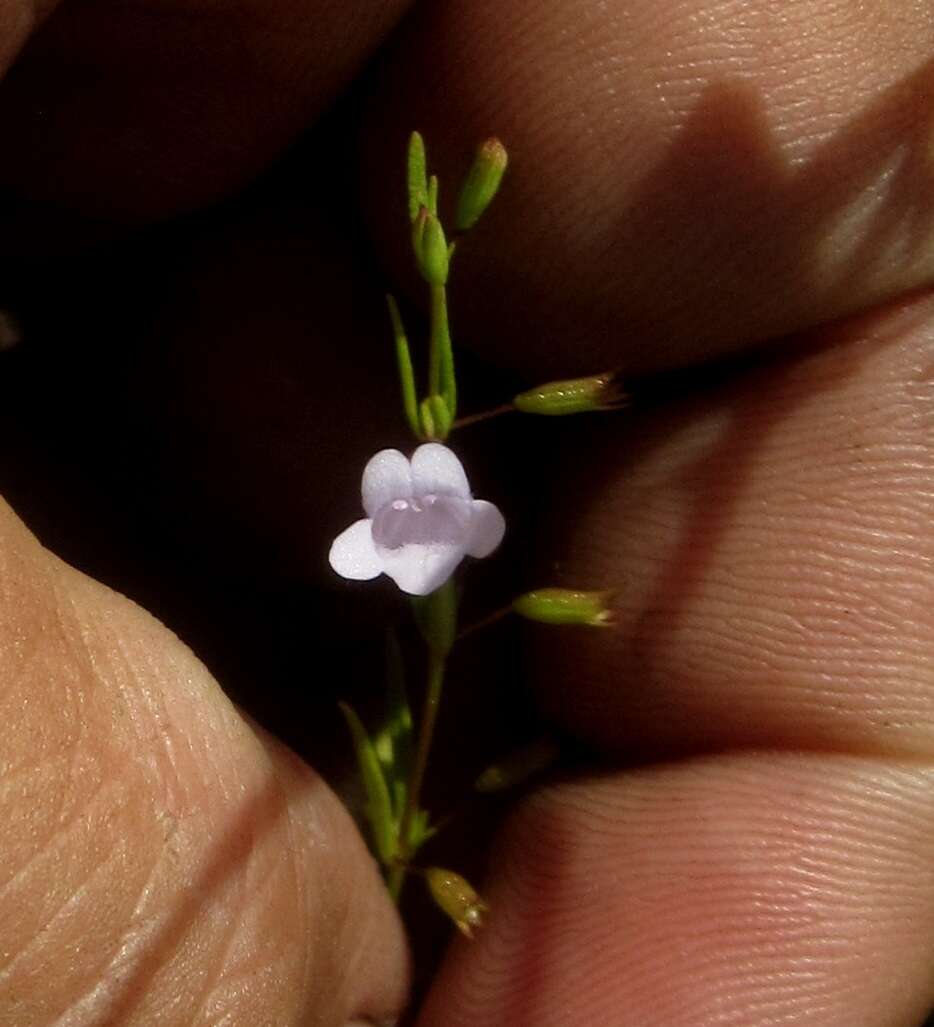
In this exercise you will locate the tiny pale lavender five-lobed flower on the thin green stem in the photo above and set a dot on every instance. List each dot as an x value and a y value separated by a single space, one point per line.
422 522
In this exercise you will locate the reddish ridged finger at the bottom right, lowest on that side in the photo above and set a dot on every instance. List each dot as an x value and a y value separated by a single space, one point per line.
746 889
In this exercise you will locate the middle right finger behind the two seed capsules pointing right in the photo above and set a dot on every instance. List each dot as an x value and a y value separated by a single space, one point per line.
769 546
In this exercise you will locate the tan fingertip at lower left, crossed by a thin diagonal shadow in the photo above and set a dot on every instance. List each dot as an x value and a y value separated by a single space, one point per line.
218 878
